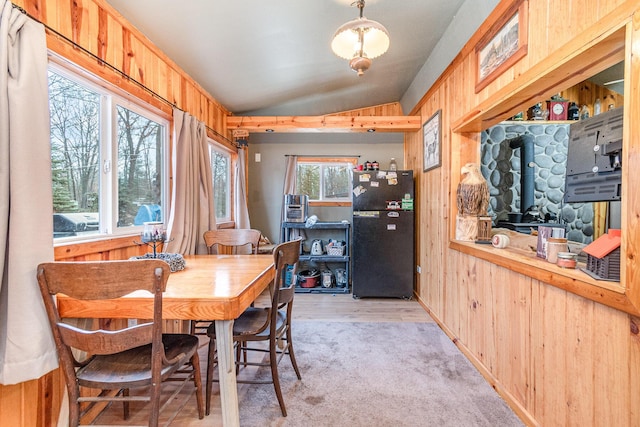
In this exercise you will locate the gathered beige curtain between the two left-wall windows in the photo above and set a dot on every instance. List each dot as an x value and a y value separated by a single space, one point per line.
192 207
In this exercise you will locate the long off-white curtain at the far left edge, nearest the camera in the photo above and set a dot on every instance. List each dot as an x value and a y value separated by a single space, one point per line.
27 350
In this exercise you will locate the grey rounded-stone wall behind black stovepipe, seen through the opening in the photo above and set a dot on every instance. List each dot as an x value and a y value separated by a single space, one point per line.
500 165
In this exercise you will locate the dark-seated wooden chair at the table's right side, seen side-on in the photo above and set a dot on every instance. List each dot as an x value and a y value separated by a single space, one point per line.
270 324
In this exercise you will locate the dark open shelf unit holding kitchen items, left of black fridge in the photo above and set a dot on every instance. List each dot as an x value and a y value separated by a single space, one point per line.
328 266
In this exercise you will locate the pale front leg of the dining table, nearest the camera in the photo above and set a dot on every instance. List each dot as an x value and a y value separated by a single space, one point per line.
227 373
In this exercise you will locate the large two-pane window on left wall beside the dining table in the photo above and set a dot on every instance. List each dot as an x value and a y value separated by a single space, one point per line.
108 159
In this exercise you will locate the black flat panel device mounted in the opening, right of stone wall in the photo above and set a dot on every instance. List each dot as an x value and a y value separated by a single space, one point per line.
594 165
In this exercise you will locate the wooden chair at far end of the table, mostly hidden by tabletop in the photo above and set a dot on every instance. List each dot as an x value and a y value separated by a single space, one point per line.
226 241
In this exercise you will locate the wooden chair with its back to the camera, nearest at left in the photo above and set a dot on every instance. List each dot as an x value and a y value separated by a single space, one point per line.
116 361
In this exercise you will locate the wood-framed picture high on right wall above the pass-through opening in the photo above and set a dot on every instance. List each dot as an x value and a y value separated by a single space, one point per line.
503 45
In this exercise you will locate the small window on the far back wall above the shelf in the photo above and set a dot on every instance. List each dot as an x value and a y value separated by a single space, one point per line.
325 180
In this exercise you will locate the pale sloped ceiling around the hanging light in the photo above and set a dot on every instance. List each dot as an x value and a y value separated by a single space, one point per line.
272 57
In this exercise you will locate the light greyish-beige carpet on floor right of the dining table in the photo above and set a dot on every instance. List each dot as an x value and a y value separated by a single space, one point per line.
376 374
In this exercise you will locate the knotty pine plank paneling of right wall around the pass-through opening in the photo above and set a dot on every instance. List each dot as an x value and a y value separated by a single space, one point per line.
561 336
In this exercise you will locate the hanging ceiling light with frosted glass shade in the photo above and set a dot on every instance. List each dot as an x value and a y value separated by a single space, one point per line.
360 40
